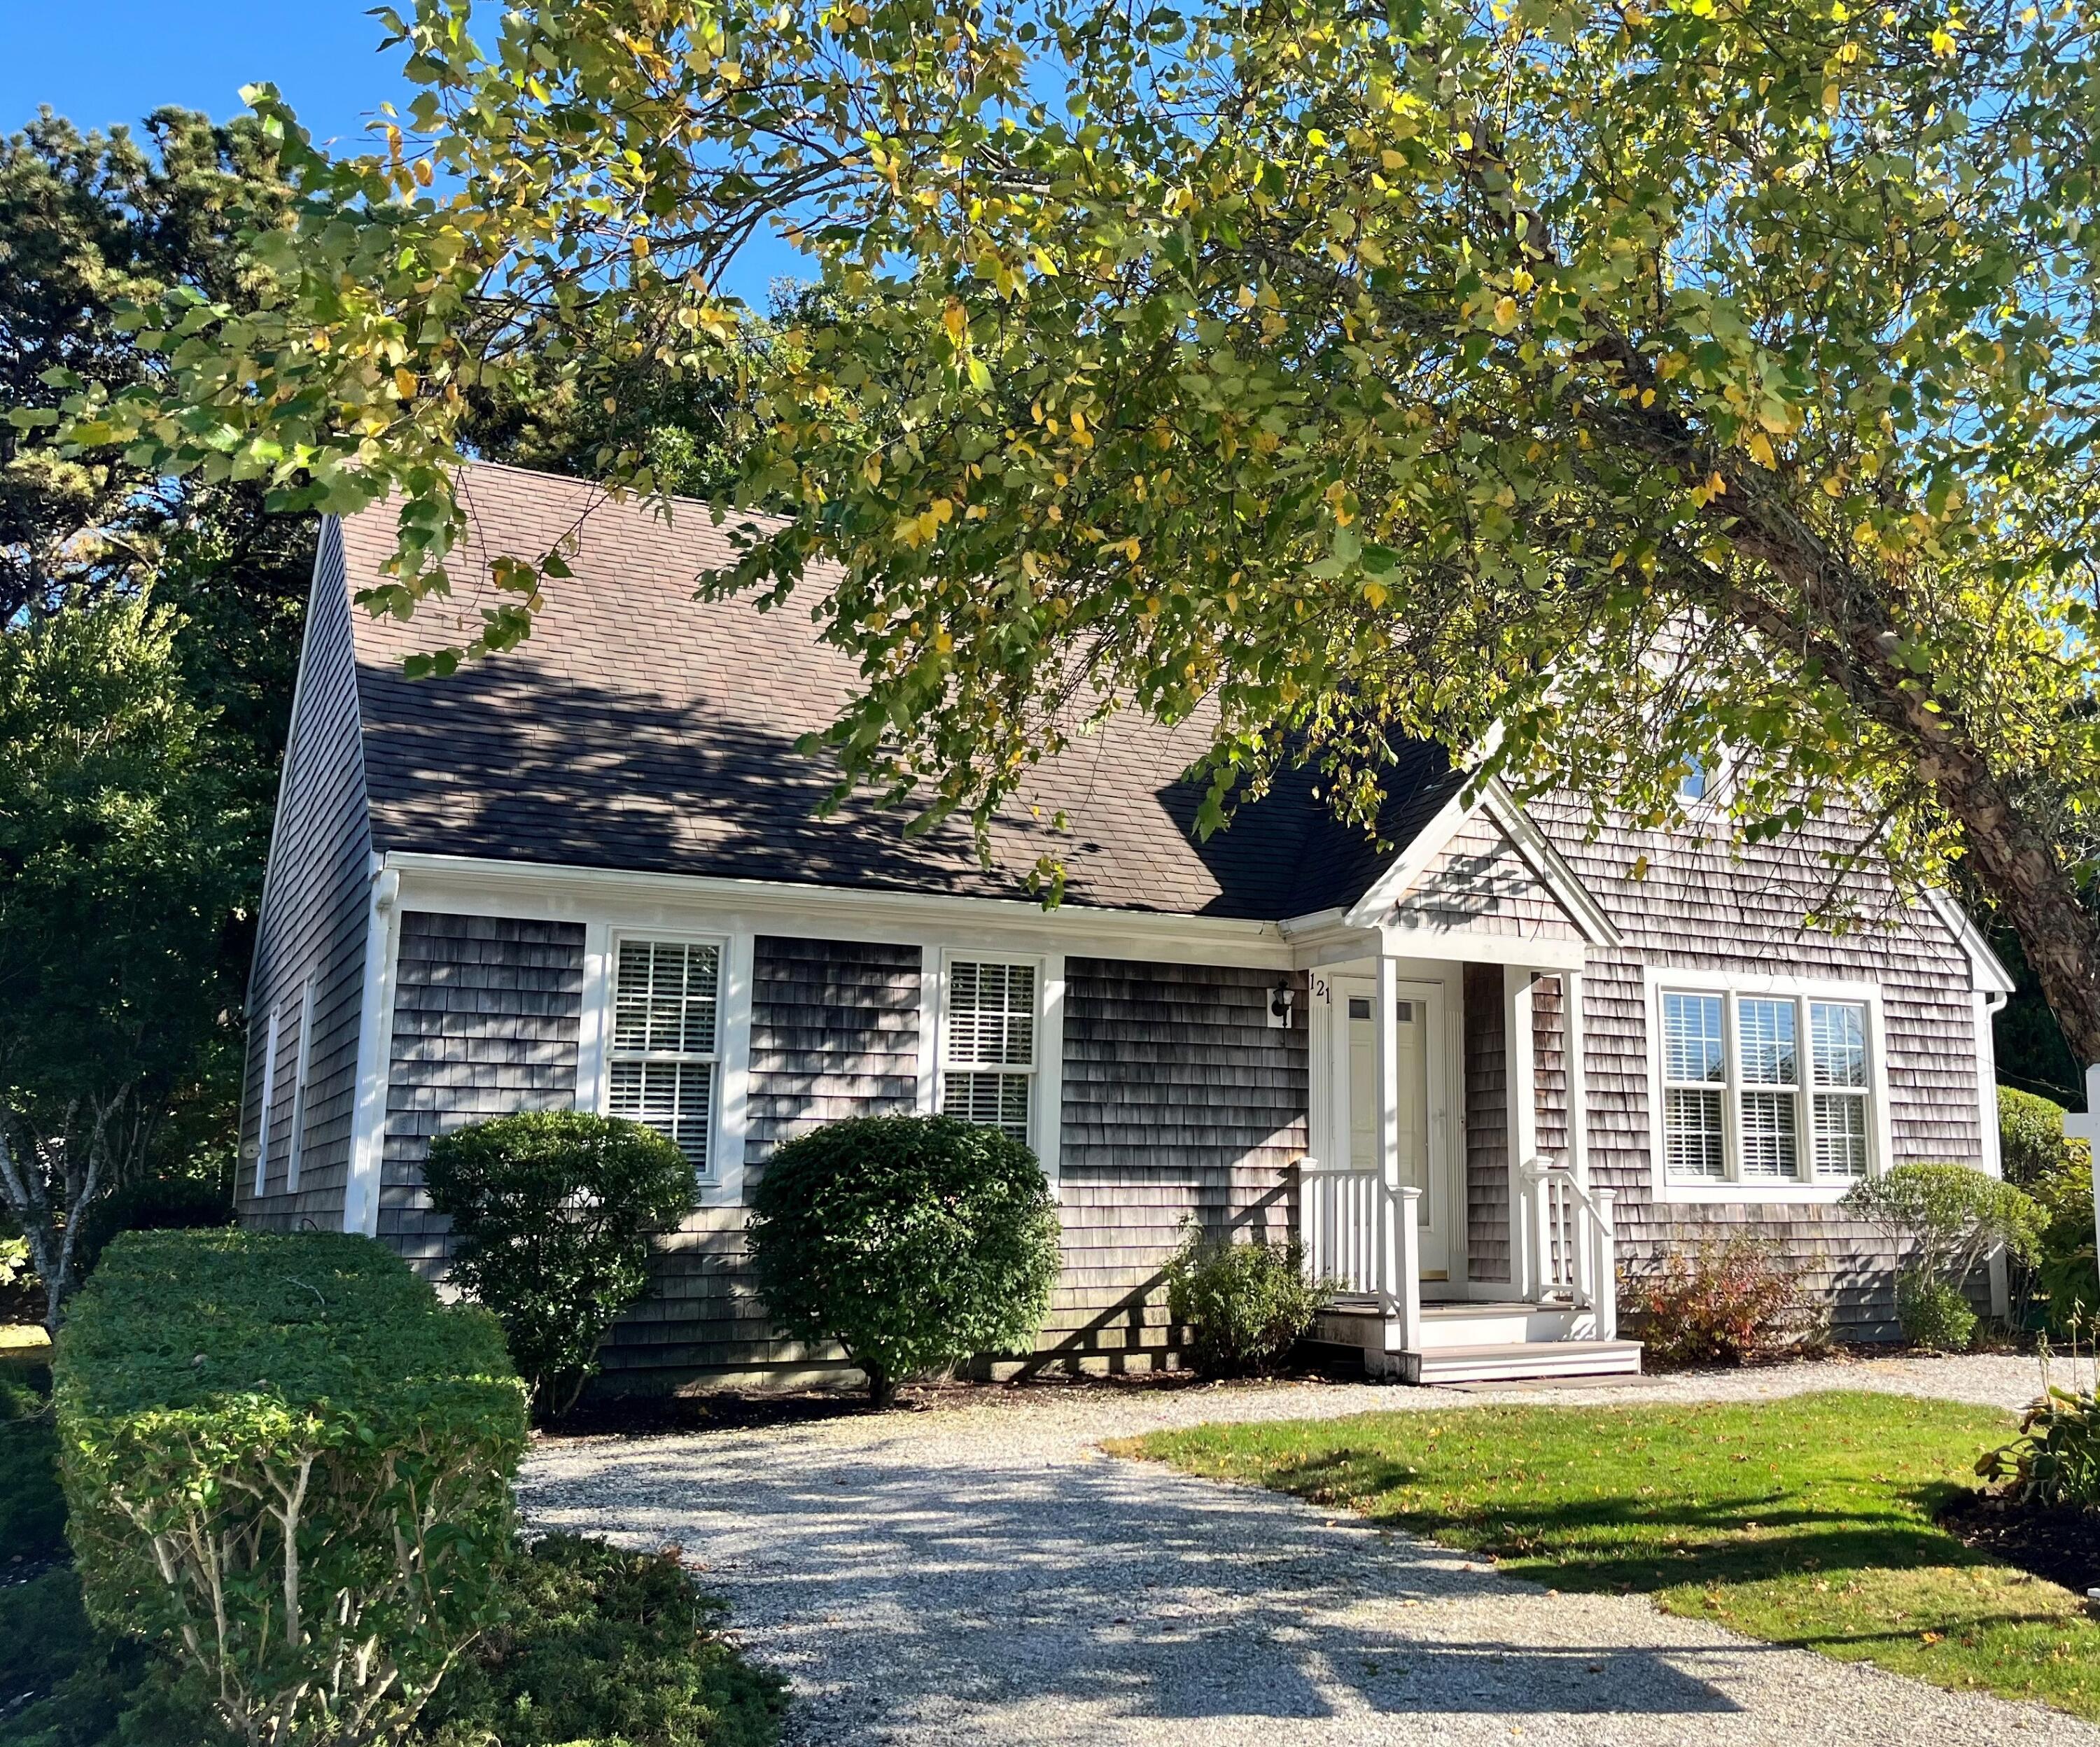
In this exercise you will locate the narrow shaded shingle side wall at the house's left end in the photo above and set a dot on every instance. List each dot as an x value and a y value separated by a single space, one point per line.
312 927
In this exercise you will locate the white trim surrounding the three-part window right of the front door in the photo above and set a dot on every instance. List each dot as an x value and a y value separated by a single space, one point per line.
1881 1141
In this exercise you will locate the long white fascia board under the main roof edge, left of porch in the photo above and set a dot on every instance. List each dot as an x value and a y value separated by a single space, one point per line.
564 893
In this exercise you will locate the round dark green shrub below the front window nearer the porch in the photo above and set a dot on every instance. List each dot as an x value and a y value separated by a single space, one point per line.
912 1242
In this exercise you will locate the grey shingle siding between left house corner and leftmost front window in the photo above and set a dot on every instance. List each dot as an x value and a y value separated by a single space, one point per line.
486 1024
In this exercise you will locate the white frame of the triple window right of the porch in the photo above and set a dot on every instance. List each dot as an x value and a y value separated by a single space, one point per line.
1734 988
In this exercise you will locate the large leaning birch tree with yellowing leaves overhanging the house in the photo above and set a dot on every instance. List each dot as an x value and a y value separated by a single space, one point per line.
1654 385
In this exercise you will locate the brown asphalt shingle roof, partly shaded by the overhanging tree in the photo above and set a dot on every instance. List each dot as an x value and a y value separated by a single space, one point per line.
644 730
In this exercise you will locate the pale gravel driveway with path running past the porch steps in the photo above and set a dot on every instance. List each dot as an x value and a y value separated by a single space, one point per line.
982 1574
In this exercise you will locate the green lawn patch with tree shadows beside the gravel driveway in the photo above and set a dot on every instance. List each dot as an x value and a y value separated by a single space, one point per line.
1805 1521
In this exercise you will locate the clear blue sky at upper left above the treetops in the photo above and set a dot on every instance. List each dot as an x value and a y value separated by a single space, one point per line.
106 62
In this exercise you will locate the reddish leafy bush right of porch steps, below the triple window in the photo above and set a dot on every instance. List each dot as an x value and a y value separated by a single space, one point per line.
1721 1305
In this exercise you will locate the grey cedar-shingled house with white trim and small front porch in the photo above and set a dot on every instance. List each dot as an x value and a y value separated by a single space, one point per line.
1479 1076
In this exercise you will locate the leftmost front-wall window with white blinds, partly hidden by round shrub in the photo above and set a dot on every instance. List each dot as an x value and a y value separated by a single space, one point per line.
665 1057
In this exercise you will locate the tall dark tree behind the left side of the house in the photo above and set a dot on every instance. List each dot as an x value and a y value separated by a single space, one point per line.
89 222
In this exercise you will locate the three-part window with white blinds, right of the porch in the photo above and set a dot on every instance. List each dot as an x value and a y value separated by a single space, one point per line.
1765 1089
